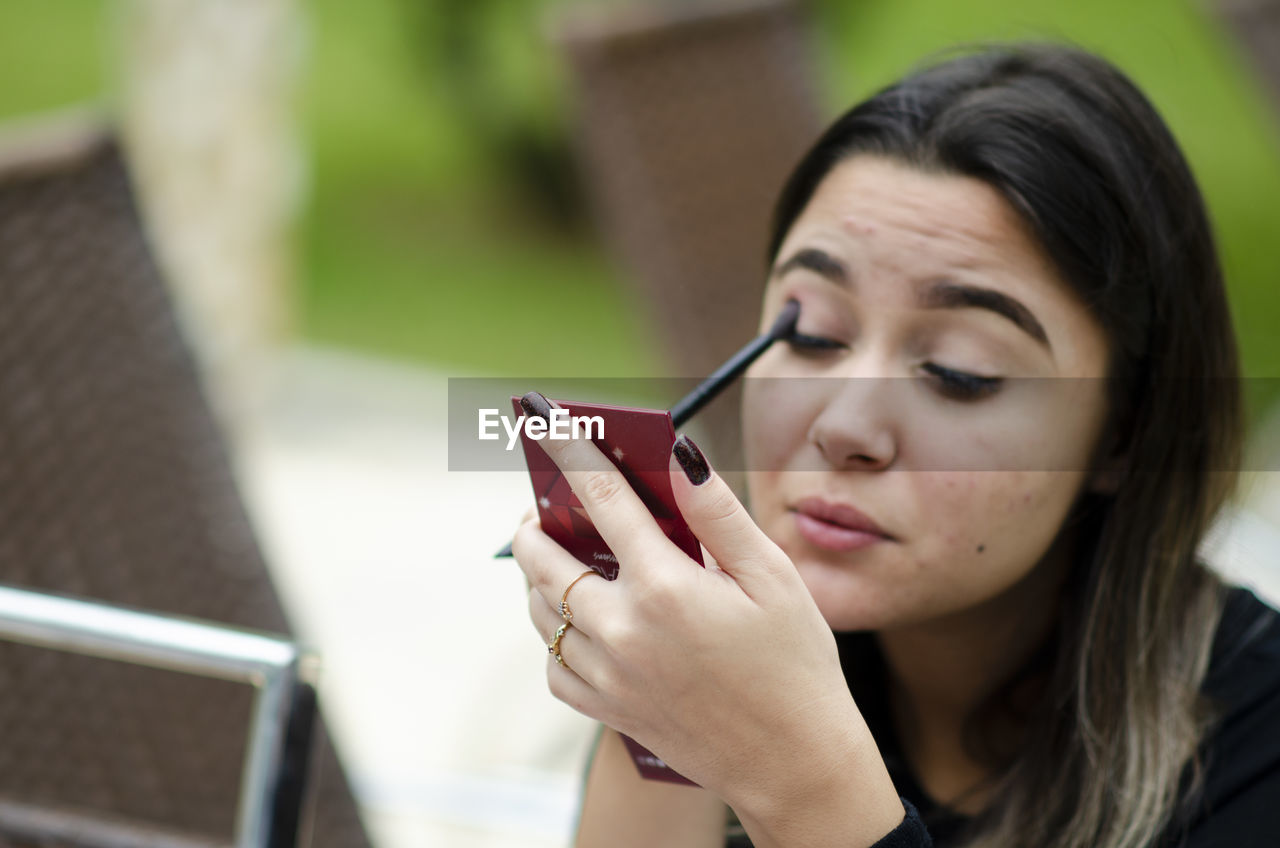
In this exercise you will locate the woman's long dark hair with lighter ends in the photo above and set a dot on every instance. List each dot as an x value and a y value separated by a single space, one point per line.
1081 154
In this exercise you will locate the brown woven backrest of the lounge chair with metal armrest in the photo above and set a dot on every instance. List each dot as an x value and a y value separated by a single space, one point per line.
115 486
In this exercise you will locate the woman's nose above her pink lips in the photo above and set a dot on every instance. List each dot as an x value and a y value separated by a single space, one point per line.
854 431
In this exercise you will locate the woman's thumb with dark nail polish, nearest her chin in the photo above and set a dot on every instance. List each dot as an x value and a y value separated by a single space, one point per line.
720 521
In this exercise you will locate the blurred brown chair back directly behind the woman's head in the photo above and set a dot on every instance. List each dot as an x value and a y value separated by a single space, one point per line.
689 118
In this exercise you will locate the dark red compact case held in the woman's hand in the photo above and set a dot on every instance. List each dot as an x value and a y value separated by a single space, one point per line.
638 441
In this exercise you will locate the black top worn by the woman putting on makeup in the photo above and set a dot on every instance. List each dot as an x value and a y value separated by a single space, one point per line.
1240 806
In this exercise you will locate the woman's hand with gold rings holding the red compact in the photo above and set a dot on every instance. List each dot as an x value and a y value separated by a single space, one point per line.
728 673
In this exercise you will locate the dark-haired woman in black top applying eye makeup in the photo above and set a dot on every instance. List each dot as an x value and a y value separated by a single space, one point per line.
966 608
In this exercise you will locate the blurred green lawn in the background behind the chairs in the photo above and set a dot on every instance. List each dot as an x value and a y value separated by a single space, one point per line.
442 181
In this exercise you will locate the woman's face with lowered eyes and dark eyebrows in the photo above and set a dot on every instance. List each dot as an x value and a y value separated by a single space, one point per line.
921 462
